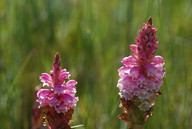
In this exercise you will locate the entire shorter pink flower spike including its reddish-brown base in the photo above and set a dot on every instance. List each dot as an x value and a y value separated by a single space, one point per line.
59 102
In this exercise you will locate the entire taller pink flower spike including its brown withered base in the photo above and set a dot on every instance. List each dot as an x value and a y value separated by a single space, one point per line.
140 78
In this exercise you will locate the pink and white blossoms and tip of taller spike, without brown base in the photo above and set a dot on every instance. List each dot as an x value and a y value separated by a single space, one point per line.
141 76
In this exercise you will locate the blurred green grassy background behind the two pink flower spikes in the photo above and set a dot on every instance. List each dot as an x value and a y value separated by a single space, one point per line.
92 37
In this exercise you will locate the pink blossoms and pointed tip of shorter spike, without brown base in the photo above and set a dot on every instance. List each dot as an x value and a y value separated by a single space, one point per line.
61 95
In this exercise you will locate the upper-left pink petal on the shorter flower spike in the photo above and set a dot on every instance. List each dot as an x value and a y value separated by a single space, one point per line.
46 79
